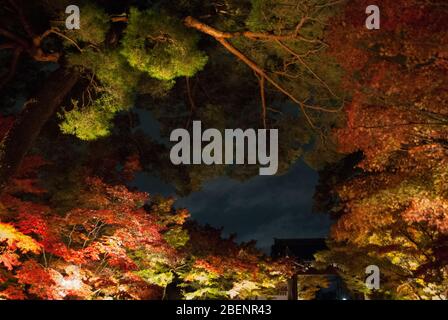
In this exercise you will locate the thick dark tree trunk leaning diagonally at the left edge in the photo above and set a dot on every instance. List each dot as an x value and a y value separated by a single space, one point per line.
30 121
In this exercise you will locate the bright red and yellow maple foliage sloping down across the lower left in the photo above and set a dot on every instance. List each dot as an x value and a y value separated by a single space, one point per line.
114 243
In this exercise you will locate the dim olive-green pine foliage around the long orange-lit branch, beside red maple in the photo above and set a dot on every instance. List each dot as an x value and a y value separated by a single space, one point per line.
308 78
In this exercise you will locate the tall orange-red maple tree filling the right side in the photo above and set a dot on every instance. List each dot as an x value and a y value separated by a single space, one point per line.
389 195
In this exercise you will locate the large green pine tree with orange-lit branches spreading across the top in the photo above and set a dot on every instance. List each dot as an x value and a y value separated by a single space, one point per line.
219 67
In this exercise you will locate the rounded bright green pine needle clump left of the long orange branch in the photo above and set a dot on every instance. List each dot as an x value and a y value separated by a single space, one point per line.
161 46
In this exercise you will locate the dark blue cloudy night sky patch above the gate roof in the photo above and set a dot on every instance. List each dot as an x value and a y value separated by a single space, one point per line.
261 208
